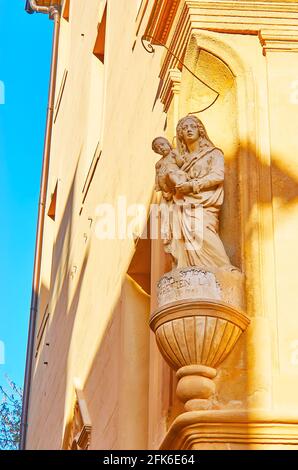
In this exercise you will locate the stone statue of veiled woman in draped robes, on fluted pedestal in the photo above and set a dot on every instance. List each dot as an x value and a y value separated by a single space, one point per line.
194 201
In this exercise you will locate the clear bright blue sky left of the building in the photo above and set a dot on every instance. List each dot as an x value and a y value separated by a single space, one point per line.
25 52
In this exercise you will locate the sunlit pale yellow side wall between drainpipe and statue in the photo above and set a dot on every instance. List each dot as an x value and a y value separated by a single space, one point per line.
84 307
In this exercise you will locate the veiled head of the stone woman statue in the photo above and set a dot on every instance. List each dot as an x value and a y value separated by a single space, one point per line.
190 128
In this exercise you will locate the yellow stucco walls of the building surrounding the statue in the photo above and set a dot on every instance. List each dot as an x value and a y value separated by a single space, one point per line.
97 336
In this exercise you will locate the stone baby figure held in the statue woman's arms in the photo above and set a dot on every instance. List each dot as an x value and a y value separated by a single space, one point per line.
168 173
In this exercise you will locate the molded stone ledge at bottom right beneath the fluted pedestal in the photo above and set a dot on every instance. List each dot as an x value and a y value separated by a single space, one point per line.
232 430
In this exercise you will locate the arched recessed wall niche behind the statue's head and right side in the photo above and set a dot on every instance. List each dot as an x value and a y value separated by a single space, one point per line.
213 59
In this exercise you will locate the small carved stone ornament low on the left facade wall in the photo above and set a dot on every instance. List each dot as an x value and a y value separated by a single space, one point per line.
80 433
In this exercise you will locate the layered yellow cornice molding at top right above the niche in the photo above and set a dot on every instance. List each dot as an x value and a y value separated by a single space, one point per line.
172 22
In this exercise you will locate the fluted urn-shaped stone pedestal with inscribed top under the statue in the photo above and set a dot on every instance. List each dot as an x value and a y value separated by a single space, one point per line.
197 325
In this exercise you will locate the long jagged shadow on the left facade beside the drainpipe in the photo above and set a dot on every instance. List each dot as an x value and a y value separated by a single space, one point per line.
50 376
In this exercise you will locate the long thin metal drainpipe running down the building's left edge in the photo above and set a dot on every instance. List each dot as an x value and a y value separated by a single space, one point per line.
54 13
